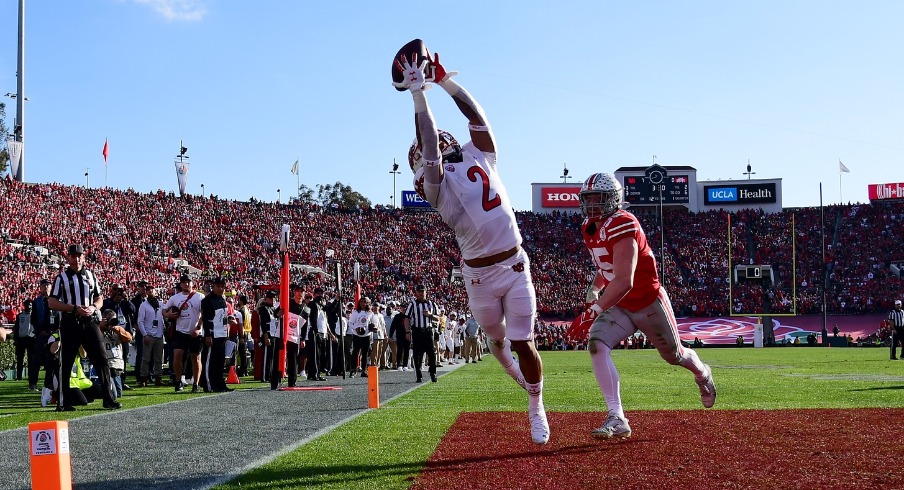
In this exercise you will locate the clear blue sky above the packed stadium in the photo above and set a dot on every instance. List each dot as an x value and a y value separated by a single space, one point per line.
793 86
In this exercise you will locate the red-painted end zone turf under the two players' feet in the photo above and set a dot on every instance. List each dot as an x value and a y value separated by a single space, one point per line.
851 449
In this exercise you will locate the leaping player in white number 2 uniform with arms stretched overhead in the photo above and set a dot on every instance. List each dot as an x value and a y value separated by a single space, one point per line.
461 182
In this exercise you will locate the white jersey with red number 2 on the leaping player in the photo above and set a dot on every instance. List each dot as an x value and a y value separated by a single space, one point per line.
474 203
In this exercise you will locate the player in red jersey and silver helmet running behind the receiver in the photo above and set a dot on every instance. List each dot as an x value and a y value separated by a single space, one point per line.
632 298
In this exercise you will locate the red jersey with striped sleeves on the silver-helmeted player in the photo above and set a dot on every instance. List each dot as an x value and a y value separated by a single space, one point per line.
601 234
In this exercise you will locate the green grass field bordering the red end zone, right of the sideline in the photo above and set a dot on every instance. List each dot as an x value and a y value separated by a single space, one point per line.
387 448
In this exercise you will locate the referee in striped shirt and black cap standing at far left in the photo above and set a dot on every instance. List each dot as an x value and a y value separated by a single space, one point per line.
77 295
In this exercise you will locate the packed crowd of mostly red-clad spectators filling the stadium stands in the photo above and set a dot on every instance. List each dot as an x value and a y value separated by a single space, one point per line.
131 236
